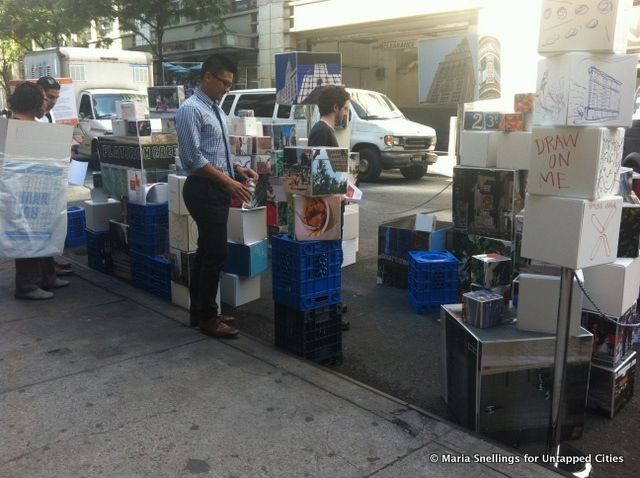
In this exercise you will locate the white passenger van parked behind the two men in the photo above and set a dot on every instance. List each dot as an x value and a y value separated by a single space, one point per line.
381 134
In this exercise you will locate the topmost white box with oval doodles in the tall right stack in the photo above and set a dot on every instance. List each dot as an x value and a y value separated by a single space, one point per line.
571 22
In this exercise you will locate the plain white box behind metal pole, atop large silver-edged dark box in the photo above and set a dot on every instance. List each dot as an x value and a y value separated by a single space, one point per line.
538 299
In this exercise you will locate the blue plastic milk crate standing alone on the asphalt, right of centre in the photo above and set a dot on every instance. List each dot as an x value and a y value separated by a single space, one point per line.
433 280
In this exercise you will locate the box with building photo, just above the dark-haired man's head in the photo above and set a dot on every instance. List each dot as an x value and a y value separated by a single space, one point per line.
300 73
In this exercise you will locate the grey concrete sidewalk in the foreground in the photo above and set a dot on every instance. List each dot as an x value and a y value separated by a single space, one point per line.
106 380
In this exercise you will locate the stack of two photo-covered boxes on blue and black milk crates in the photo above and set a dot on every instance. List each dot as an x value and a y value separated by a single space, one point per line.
307 262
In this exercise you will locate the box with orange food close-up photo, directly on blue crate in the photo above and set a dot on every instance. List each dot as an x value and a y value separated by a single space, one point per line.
317 218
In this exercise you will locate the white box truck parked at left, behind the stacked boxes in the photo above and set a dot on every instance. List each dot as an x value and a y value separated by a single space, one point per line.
100 78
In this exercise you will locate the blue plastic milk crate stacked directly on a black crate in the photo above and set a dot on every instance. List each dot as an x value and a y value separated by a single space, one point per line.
306 274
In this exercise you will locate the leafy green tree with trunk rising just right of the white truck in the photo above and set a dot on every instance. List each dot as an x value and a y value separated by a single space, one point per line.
150 19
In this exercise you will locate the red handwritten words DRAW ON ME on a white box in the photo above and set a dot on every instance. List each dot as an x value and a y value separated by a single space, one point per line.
555 151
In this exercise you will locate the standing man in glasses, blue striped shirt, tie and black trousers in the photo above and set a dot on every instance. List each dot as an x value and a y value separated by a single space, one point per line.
203 140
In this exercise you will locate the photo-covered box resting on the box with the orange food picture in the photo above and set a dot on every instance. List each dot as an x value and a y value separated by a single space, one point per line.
316 171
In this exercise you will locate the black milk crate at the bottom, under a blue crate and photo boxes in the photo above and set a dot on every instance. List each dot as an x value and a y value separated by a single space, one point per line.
315 334
